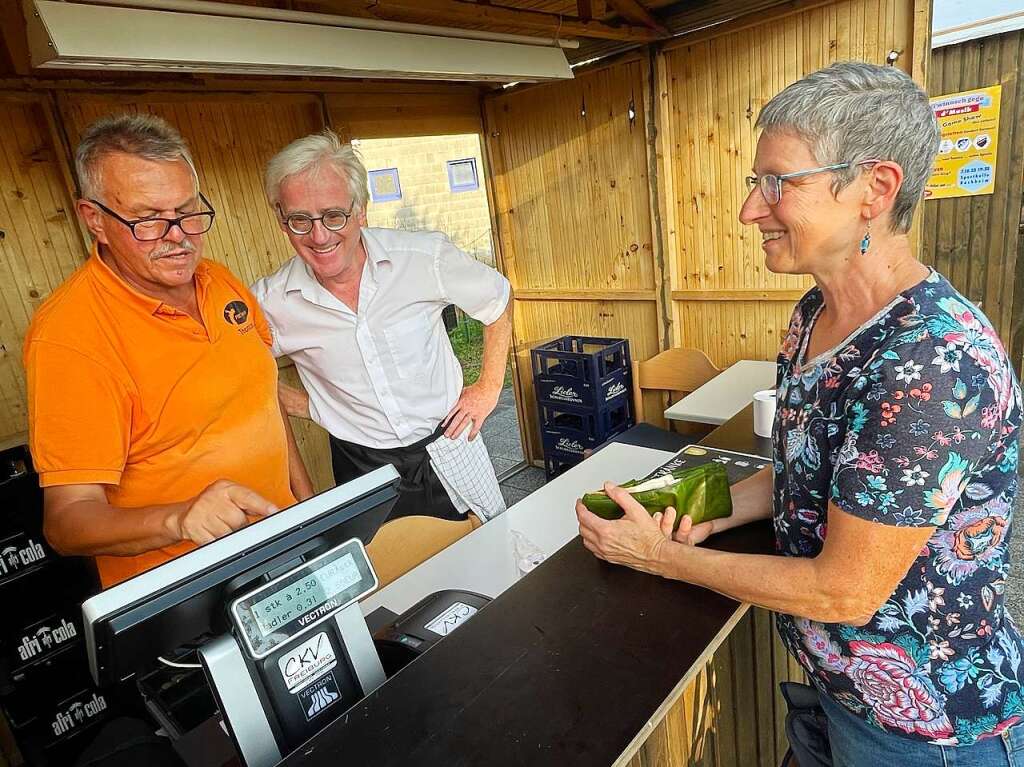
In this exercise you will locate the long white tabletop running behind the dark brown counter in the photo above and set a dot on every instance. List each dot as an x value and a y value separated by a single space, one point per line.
483 562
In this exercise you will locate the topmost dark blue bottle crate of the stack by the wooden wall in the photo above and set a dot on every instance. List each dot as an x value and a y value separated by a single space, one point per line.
582 372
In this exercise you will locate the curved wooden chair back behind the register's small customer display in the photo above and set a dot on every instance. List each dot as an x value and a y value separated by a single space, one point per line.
404 543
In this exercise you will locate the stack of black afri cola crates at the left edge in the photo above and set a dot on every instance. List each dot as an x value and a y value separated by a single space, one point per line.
47 693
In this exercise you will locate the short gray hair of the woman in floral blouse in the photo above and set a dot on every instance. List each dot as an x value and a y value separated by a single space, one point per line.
851 112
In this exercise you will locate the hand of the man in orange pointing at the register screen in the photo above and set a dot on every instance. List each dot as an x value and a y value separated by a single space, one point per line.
222 508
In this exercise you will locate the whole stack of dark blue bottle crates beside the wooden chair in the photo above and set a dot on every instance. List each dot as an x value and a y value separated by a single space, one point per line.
584 391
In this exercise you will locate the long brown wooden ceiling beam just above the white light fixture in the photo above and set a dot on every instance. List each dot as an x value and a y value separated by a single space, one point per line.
456 13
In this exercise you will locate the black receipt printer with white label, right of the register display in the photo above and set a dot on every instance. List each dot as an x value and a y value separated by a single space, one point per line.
423 625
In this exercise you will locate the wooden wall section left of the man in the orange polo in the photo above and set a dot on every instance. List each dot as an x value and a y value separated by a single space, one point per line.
40 243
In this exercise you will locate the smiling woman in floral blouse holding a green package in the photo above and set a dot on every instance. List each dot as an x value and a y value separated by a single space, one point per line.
895 447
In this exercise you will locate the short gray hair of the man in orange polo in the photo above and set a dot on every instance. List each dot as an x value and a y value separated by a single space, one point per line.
147 137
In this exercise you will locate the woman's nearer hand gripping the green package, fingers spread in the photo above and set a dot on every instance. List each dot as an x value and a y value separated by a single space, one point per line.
636 541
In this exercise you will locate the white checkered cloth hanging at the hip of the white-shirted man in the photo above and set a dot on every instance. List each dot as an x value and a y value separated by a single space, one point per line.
465 471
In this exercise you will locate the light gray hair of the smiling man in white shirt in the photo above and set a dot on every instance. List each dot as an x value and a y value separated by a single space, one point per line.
315 153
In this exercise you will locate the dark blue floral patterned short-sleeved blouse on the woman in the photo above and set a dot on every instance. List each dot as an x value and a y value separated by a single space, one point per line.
913 421
